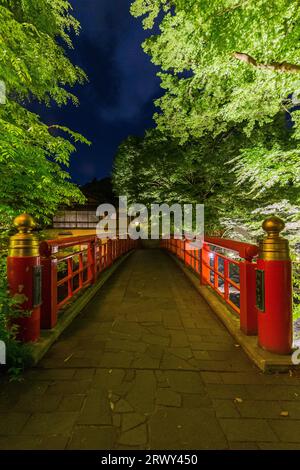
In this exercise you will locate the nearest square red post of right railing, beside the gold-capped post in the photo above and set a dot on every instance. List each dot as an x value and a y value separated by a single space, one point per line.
248 310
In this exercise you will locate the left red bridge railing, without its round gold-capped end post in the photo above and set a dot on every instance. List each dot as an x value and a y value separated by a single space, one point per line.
80 269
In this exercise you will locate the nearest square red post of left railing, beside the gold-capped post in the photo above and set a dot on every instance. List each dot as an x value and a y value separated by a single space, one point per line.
49 287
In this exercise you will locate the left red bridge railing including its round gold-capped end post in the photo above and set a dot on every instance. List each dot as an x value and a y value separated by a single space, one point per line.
49 274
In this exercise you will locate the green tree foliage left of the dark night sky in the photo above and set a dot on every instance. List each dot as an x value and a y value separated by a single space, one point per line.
34 66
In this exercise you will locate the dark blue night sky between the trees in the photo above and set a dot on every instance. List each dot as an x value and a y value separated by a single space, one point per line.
118 100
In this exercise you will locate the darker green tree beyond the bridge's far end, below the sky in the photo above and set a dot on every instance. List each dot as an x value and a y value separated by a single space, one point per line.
157 169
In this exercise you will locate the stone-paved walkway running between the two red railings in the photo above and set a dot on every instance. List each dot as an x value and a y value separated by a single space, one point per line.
147 365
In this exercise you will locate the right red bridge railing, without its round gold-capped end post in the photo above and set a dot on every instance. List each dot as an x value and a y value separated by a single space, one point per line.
205 262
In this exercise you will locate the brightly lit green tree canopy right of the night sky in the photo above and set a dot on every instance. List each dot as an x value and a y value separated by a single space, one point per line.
230 72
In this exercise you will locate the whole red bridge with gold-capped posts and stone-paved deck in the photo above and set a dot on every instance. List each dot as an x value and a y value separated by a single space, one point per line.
146 362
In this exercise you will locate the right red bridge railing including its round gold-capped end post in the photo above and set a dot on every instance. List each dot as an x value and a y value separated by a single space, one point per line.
255 281
